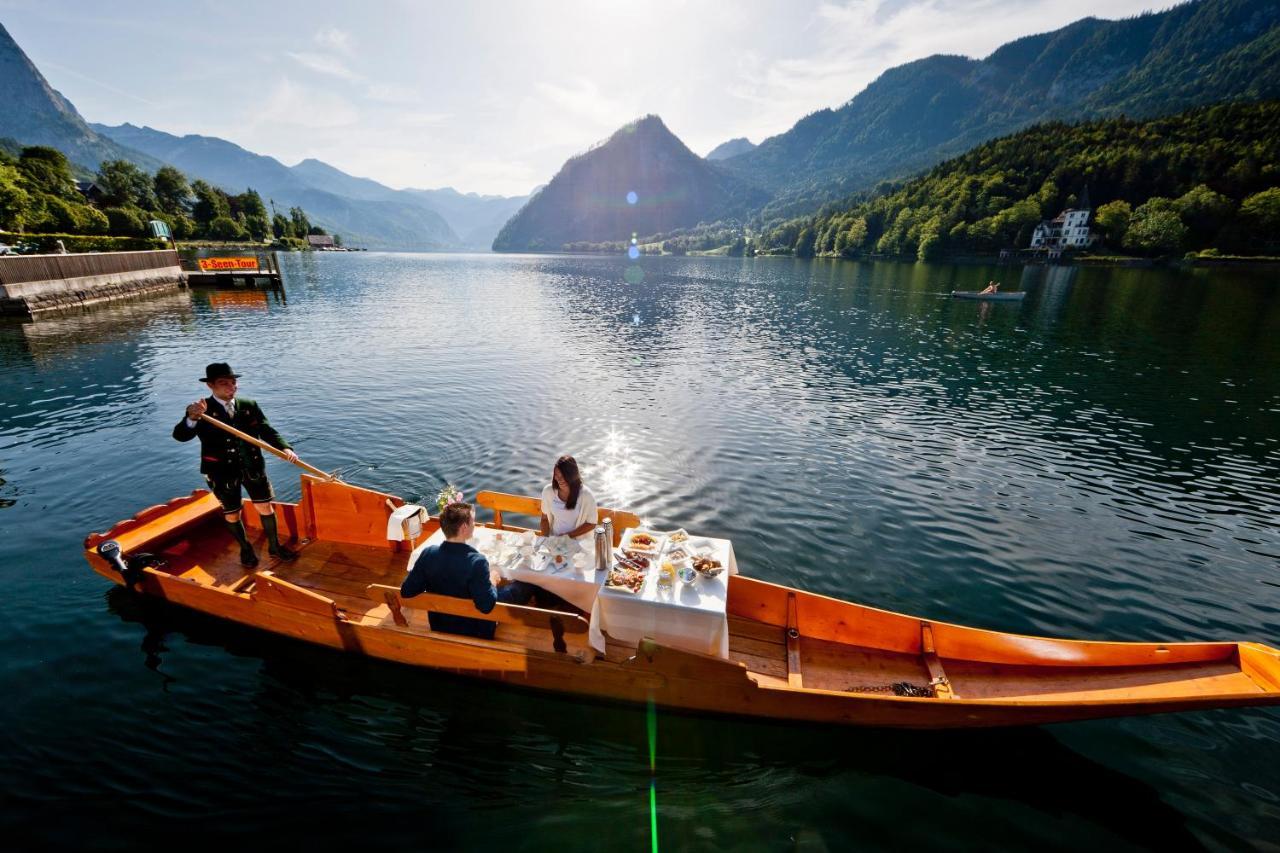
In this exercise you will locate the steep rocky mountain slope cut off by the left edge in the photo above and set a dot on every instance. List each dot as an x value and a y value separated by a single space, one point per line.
34 113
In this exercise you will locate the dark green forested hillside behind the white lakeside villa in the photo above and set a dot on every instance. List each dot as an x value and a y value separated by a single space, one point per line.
1209 179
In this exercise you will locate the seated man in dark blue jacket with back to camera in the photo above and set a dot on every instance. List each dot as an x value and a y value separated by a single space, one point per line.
456 569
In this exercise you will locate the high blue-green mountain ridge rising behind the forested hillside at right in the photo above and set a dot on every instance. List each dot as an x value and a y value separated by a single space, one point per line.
920 113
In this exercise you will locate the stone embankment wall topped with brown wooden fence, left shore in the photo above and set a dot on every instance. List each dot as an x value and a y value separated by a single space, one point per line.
33 285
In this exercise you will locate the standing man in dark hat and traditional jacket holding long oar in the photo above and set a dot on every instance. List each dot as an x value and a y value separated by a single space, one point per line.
230 463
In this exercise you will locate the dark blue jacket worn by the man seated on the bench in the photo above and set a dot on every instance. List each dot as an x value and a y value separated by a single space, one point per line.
459 571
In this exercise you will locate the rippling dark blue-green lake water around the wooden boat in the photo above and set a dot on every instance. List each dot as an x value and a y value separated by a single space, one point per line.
1101 460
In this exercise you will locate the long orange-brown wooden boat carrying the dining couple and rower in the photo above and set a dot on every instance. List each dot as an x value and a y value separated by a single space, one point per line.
793 655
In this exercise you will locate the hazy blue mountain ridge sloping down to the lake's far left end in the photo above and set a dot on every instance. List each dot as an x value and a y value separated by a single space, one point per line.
386 222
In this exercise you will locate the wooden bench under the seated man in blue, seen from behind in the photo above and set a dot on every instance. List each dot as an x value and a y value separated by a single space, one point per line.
528 627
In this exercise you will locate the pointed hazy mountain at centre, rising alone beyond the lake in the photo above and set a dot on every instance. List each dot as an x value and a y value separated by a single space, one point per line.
642 180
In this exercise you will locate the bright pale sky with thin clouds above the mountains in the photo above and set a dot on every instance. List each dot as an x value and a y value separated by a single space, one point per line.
493 97
